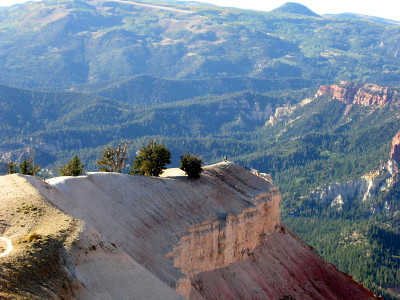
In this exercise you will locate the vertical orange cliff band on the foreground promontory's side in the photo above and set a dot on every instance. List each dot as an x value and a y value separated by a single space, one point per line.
223 241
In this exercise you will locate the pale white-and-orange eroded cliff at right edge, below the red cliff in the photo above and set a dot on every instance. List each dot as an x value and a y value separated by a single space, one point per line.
364 188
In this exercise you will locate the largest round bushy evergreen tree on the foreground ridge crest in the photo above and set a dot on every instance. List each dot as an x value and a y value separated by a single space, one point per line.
151 160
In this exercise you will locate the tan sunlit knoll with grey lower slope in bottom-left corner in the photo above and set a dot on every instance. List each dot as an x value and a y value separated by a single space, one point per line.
56 256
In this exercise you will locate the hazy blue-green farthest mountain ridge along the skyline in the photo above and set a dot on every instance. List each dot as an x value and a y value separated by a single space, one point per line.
87 42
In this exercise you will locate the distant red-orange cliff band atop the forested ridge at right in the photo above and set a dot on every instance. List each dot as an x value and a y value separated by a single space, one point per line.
354 93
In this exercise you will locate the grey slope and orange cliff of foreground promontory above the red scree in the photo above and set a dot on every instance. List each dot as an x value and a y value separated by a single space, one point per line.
149 217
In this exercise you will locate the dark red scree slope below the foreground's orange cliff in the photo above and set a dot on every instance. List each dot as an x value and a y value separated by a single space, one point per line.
281 267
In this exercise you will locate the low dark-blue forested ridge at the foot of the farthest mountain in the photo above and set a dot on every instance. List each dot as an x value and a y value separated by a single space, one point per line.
149 90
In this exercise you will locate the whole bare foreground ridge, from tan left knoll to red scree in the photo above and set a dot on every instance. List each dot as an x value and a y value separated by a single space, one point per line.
216 238
